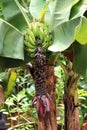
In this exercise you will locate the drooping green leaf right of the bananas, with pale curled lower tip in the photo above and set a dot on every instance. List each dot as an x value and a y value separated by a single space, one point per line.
64 35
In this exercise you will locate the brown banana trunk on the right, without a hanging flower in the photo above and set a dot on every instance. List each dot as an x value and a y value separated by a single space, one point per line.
71 101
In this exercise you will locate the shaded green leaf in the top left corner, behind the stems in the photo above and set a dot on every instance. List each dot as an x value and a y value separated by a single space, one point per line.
13 14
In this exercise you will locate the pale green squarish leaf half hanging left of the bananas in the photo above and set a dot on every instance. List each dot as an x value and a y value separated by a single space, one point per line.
11 41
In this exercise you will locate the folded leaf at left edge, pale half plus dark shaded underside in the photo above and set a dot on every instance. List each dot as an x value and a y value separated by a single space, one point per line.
12 53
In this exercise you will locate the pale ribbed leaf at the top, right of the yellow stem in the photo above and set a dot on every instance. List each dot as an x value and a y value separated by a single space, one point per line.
62 12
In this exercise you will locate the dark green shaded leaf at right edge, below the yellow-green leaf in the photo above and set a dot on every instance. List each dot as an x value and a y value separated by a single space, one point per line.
80 58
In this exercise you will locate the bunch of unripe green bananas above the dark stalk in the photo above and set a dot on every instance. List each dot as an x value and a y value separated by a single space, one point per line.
37 35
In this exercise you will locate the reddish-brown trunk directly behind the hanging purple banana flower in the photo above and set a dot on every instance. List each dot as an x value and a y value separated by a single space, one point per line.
49 121
